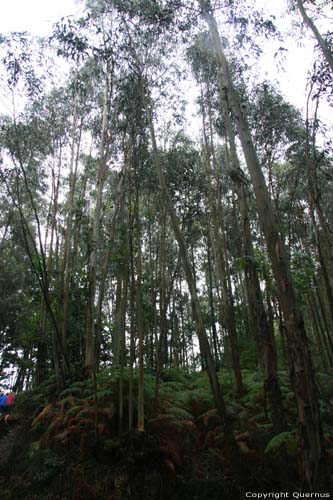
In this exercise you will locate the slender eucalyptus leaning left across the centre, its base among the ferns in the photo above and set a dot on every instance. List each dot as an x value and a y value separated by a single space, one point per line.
138 43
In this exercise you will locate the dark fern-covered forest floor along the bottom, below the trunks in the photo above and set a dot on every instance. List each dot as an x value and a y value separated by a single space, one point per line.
73 445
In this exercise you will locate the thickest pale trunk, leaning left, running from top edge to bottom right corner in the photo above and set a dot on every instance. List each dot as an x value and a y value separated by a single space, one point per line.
301 368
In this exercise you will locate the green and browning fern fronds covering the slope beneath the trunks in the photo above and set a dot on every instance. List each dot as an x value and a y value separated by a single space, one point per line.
184 425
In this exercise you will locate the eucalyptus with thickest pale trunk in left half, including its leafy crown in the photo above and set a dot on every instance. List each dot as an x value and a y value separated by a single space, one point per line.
95 38
